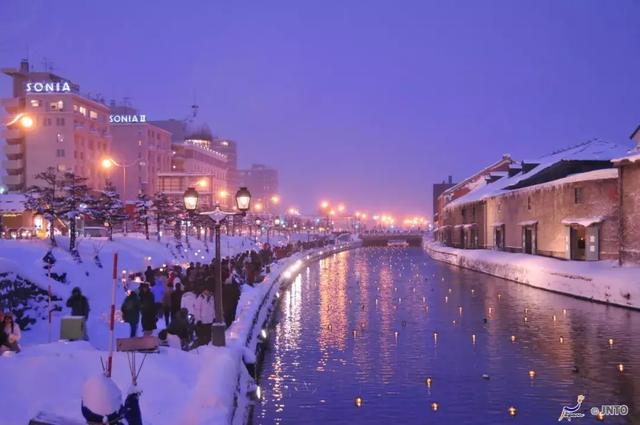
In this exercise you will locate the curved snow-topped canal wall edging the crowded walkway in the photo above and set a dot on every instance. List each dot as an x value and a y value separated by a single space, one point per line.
247 334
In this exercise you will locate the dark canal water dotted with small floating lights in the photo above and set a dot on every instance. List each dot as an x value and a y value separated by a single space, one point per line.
371 325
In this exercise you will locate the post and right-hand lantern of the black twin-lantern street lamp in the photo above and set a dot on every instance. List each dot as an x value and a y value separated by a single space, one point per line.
243 203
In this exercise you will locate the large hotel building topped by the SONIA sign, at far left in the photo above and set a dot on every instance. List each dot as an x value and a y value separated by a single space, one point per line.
67 130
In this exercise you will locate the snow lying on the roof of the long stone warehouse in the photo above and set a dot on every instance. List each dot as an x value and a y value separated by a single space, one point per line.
590 150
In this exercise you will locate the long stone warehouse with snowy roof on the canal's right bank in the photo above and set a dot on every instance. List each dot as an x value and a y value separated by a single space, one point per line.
566 205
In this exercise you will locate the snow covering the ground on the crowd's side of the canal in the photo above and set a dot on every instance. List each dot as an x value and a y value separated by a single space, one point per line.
204 386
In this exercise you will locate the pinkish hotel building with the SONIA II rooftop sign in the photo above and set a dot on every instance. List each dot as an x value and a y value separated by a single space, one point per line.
140 151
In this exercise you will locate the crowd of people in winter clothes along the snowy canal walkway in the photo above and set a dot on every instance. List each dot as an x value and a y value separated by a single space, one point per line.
183 298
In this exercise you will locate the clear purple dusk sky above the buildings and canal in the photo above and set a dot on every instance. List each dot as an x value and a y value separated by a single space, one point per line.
367 102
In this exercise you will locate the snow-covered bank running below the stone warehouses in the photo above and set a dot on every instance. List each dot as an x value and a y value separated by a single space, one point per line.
602 281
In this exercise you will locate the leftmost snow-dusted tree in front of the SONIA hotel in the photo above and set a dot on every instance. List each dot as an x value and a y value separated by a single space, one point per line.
43 199
